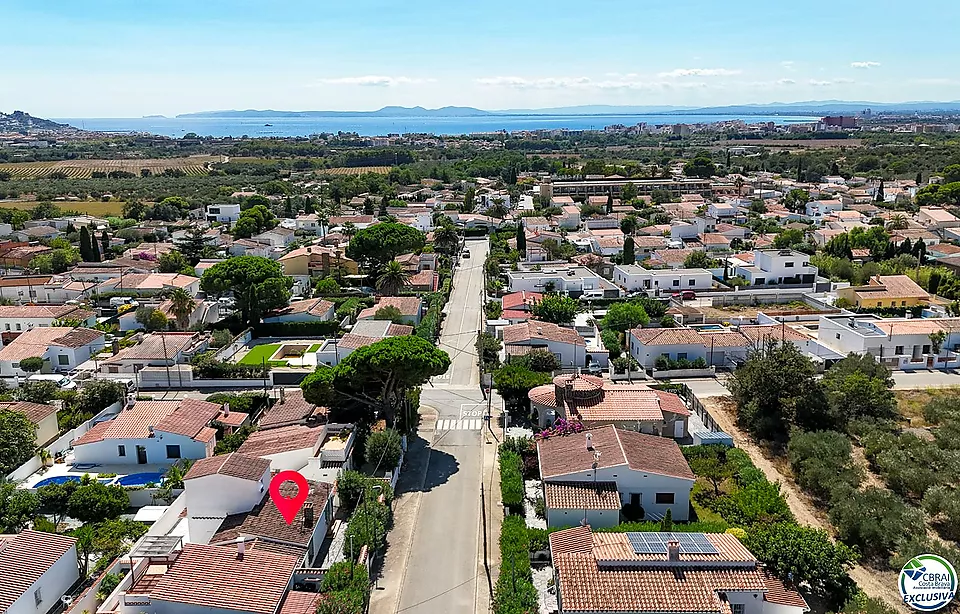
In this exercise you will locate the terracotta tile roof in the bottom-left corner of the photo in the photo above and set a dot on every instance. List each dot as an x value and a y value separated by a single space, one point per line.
24 558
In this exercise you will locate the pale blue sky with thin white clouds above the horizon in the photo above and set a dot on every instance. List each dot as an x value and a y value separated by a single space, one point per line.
123 58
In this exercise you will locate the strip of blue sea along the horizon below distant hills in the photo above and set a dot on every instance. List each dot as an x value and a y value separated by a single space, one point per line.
377 125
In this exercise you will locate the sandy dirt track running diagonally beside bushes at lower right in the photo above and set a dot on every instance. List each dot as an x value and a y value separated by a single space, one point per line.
877 584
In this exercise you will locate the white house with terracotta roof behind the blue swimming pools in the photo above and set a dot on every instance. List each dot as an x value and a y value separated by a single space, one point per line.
154 432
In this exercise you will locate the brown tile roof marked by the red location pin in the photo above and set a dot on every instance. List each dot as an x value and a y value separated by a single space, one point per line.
264 520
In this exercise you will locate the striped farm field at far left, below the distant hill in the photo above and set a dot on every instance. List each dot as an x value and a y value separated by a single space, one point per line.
84 169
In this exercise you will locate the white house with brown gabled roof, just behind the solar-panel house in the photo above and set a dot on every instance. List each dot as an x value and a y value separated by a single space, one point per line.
644 471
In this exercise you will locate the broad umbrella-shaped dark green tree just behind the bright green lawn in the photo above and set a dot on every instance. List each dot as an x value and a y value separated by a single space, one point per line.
258 284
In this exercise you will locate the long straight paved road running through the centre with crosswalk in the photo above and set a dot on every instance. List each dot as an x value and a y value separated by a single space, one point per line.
437 545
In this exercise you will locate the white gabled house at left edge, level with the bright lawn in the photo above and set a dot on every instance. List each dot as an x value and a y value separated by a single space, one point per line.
61 347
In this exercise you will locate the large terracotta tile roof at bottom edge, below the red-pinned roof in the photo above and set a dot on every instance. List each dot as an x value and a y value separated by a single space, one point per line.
214 577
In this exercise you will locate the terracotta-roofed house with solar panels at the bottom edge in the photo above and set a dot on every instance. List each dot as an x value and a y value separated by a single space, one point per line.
651 573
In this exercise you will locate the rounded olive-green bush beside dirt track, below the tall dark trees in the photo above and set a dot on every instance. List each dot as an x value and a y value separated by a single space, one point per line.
822 461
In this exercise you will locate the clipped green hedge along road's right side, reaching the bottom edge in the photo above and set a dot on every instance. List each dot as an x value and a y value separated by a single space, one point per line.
515 593
